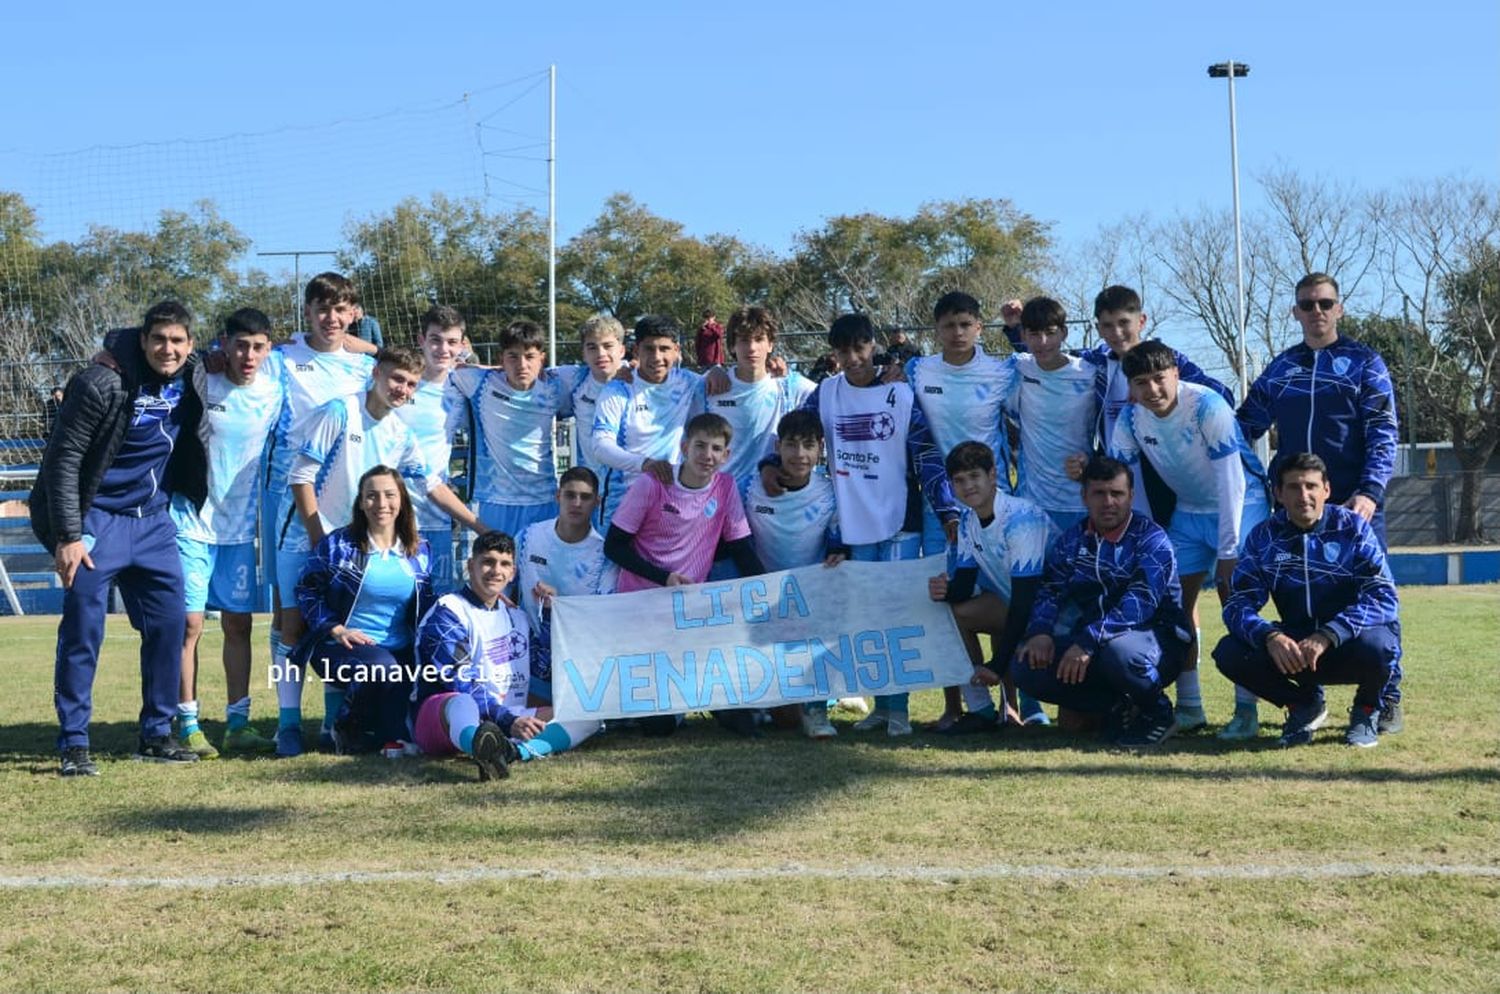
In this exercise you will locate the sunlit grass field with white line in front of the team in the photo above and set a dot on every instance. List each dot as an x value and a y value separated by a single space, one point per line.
1028 861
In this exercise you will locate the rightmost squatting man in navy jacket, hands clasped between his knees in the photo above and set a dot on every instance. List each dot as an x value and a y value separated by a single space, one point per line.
1325 570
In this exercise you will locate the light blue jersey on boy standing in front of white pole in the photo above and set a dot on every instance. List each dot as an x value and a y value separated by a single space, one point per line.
514 431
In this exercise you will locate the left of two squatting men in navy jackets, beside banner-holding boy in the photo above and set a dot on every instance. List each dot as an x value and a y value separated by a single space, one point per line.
1108 633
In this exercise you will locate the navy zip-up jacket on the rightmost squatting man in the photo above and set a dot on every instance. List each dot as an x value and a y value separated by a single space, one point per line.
1331 579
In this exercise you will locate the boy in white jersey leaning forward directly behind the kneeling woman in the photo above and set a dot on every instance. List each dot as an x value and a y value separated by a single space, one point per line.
341 442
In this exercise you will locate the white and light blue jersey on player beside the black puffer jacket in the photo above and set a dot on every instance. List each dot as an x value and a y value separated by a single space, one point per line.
236 424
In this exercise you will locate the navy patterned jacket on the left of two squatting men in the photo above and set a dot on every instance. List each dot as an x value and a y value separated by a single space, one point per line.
1103 590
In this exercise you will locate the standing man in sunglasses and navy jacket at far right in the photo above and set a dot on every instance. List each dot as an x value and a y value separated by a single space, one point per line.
1333 398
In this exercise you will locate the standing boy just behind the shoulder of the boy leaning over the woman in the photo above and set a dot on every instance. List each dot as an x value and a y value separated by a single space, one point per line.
427 415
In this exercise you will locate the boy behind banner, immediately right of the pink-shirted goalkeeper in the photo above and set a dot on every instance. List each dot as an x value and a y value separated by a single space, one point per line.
799 527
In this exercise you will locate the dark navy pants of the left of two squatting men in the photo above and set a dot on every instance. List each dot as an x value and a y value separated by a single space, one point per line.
1135 668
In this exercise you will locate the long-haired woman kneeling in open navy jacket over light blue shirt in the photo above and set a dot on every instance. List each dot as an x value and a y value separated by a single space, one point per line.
362 593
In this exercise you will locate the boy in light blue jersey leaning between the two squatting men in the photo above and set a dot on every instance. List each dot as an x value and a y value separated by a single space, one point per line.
1193 442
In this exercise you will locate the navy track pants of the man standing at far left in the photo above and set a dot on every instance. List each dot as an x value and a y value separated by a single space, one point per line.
142 555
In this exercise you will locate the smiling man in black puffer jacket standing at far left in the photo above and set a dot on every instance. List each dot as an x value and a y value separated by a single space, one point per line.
100 507
